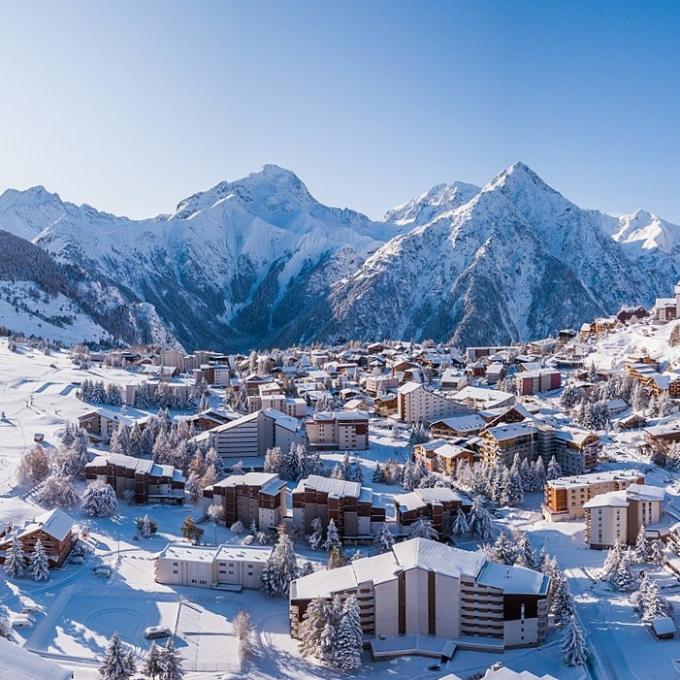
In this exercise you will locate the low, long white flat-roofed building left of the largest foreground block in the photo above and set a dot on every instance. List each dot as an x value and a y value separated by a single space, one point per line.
227 566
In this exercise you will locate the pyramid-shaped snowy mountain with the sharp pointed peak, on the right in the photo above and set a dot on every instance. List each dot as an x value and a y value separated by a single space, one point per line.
517 261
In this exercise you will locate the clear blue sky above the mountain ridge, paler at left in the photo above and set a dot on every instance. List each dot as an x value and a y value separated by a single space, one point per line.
131 106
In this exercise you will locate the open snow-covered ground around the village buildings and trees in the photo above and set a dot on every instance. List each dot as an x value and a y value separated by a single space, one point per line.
37 394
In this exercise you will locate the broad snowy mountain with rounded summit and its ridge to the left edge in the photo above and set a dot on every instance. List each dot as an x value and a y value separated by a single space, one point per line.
231 268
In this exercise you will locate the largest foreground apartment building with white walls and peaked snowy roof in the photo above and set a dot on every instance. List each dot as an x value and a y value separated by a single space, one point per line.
424 587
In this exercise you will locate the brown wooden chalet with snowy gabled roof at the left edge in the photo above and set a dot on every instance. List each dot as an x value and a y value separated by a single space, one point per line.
55 531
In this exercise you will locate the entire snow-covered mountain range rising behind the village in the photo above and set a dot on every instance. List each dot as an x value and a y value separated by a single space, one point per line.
259 261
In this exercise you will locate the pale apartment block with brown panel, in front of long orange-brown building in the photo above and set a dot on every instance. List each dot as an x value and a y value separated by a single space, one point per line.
619 515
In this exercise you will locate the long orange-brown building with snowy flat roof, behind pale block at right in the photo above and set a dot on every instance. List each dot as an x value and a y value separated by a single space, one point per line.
566 496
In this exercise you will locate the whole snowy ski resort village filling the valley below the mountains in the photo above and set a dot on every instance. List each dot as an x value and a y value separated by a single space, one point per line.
386 509
